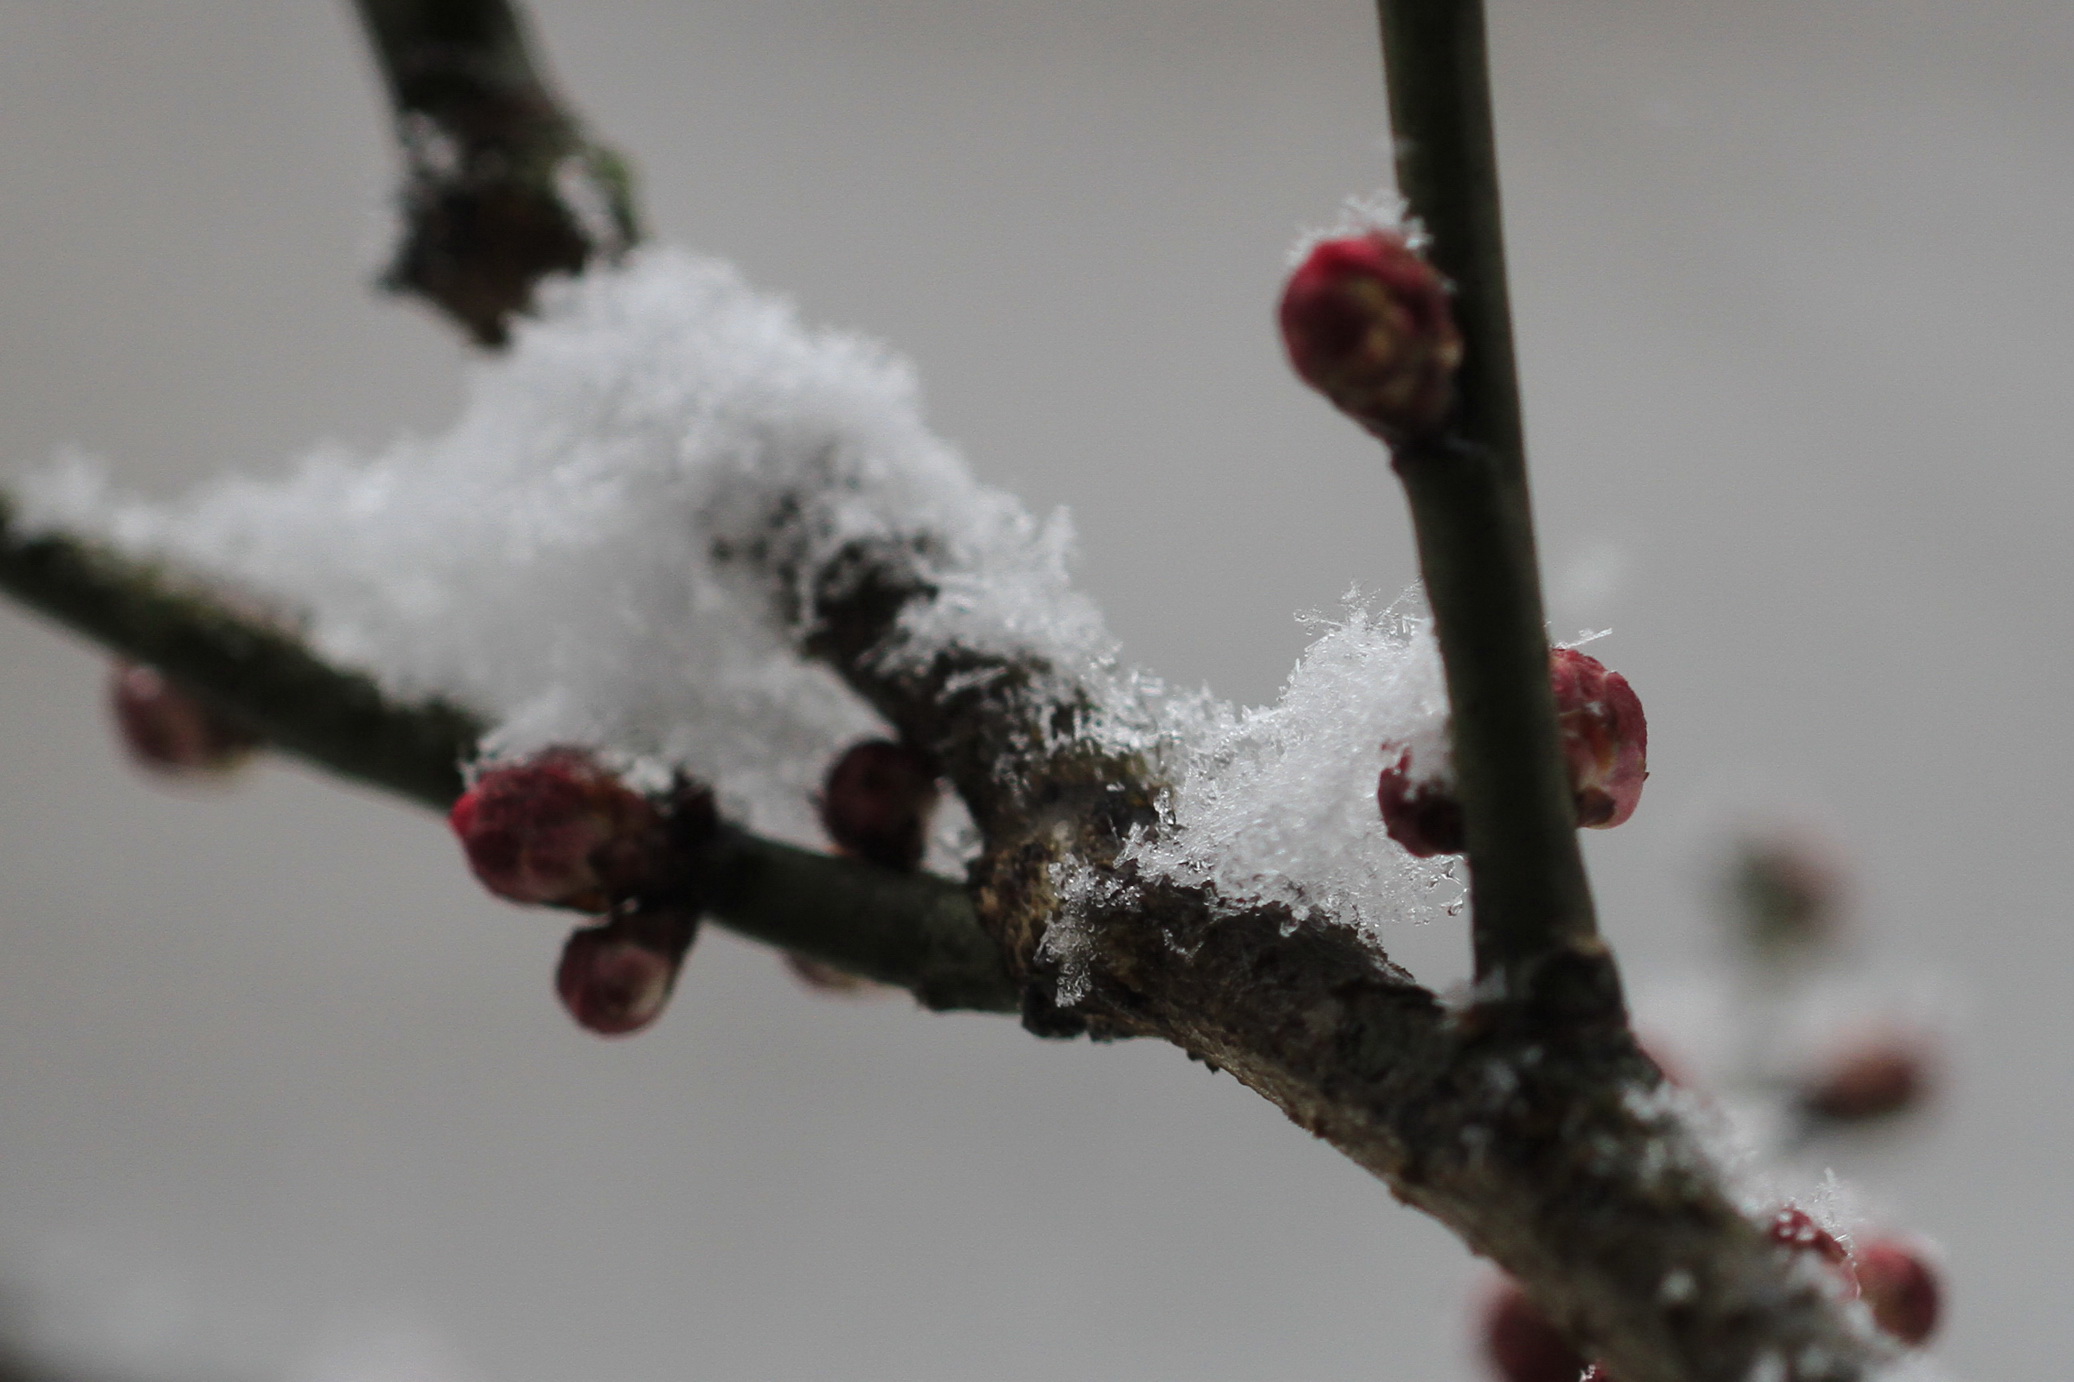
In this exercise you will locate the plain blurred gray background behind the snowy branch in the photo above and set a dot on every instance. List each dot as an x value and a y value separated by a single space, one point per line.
285 1097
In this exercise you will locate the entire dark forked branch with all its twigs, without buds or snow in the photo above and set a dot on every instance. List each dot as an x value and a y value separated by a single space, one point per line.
1528 1122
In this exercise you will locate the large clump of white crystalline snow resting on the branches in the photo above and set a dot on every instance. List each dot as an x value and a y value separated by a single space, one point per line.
598 553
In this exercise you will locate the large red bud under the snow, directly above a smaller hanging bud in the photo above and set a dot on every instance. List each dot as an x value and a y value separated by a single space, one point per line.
559 829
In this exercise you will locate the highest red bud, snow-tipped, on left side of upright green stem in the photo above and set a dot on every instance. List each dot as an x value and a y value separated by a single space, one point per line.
1368 325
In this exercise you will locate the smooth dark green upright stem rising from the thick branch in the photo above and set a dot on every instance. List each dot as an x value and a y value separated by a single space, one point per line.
1474 516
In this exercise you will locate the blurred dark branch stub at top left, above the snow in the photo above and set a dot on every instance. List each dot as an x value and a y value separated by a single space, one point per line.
503 186
